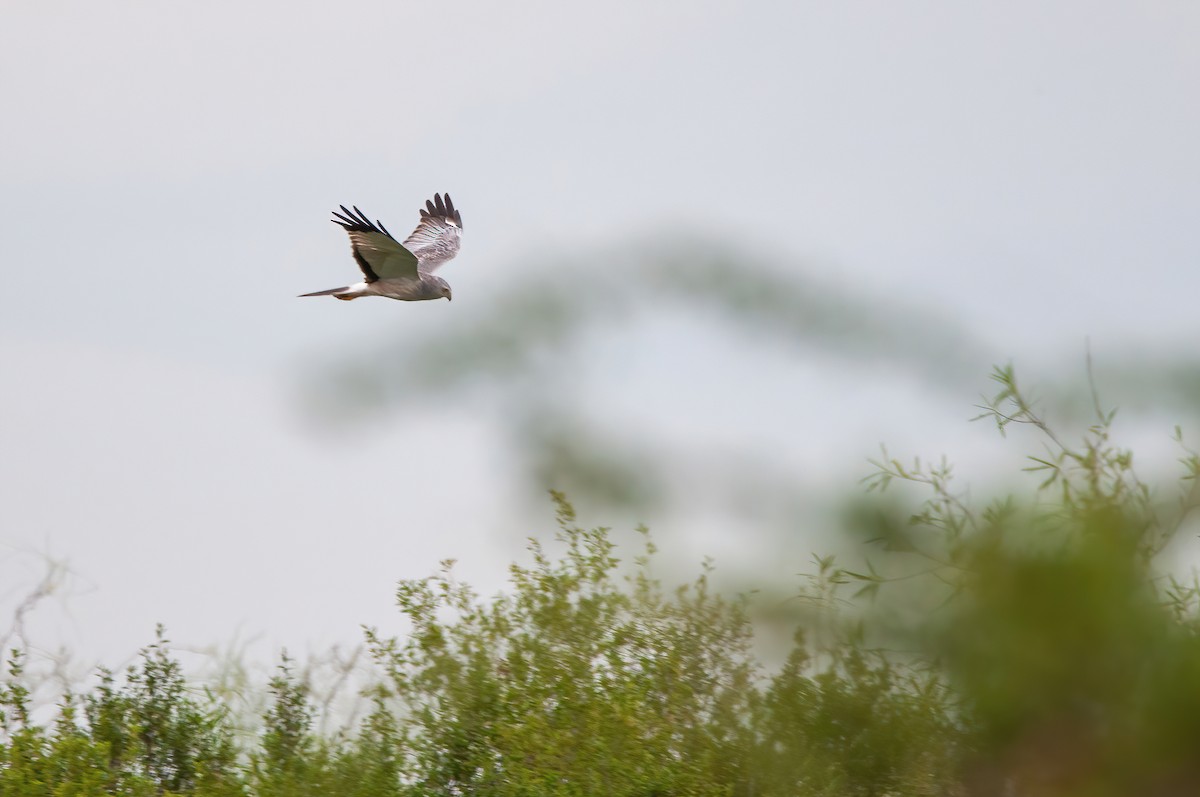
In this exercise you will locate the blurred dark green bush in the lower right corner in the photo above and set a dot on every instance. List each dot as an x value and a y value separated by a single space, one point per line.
1073 658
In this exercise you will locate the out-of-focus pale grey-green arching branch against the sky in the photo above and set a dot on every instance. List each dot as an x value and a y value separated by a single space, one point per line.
530 353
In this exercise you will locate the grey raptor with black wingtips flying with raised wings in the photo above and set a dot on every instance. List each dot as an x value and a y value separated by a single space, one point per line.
397 271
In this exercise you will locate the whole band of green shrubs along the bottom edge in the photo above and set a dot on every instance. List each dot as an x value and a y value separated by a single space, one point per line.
1027 645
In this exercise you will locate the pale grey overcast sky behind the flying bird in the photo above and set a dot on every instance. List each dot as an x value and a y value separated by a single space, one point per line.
167 170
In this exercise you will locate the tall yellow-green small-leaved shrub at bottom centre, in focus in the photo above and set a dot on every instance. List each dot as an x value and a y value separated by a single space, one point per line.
575 682
